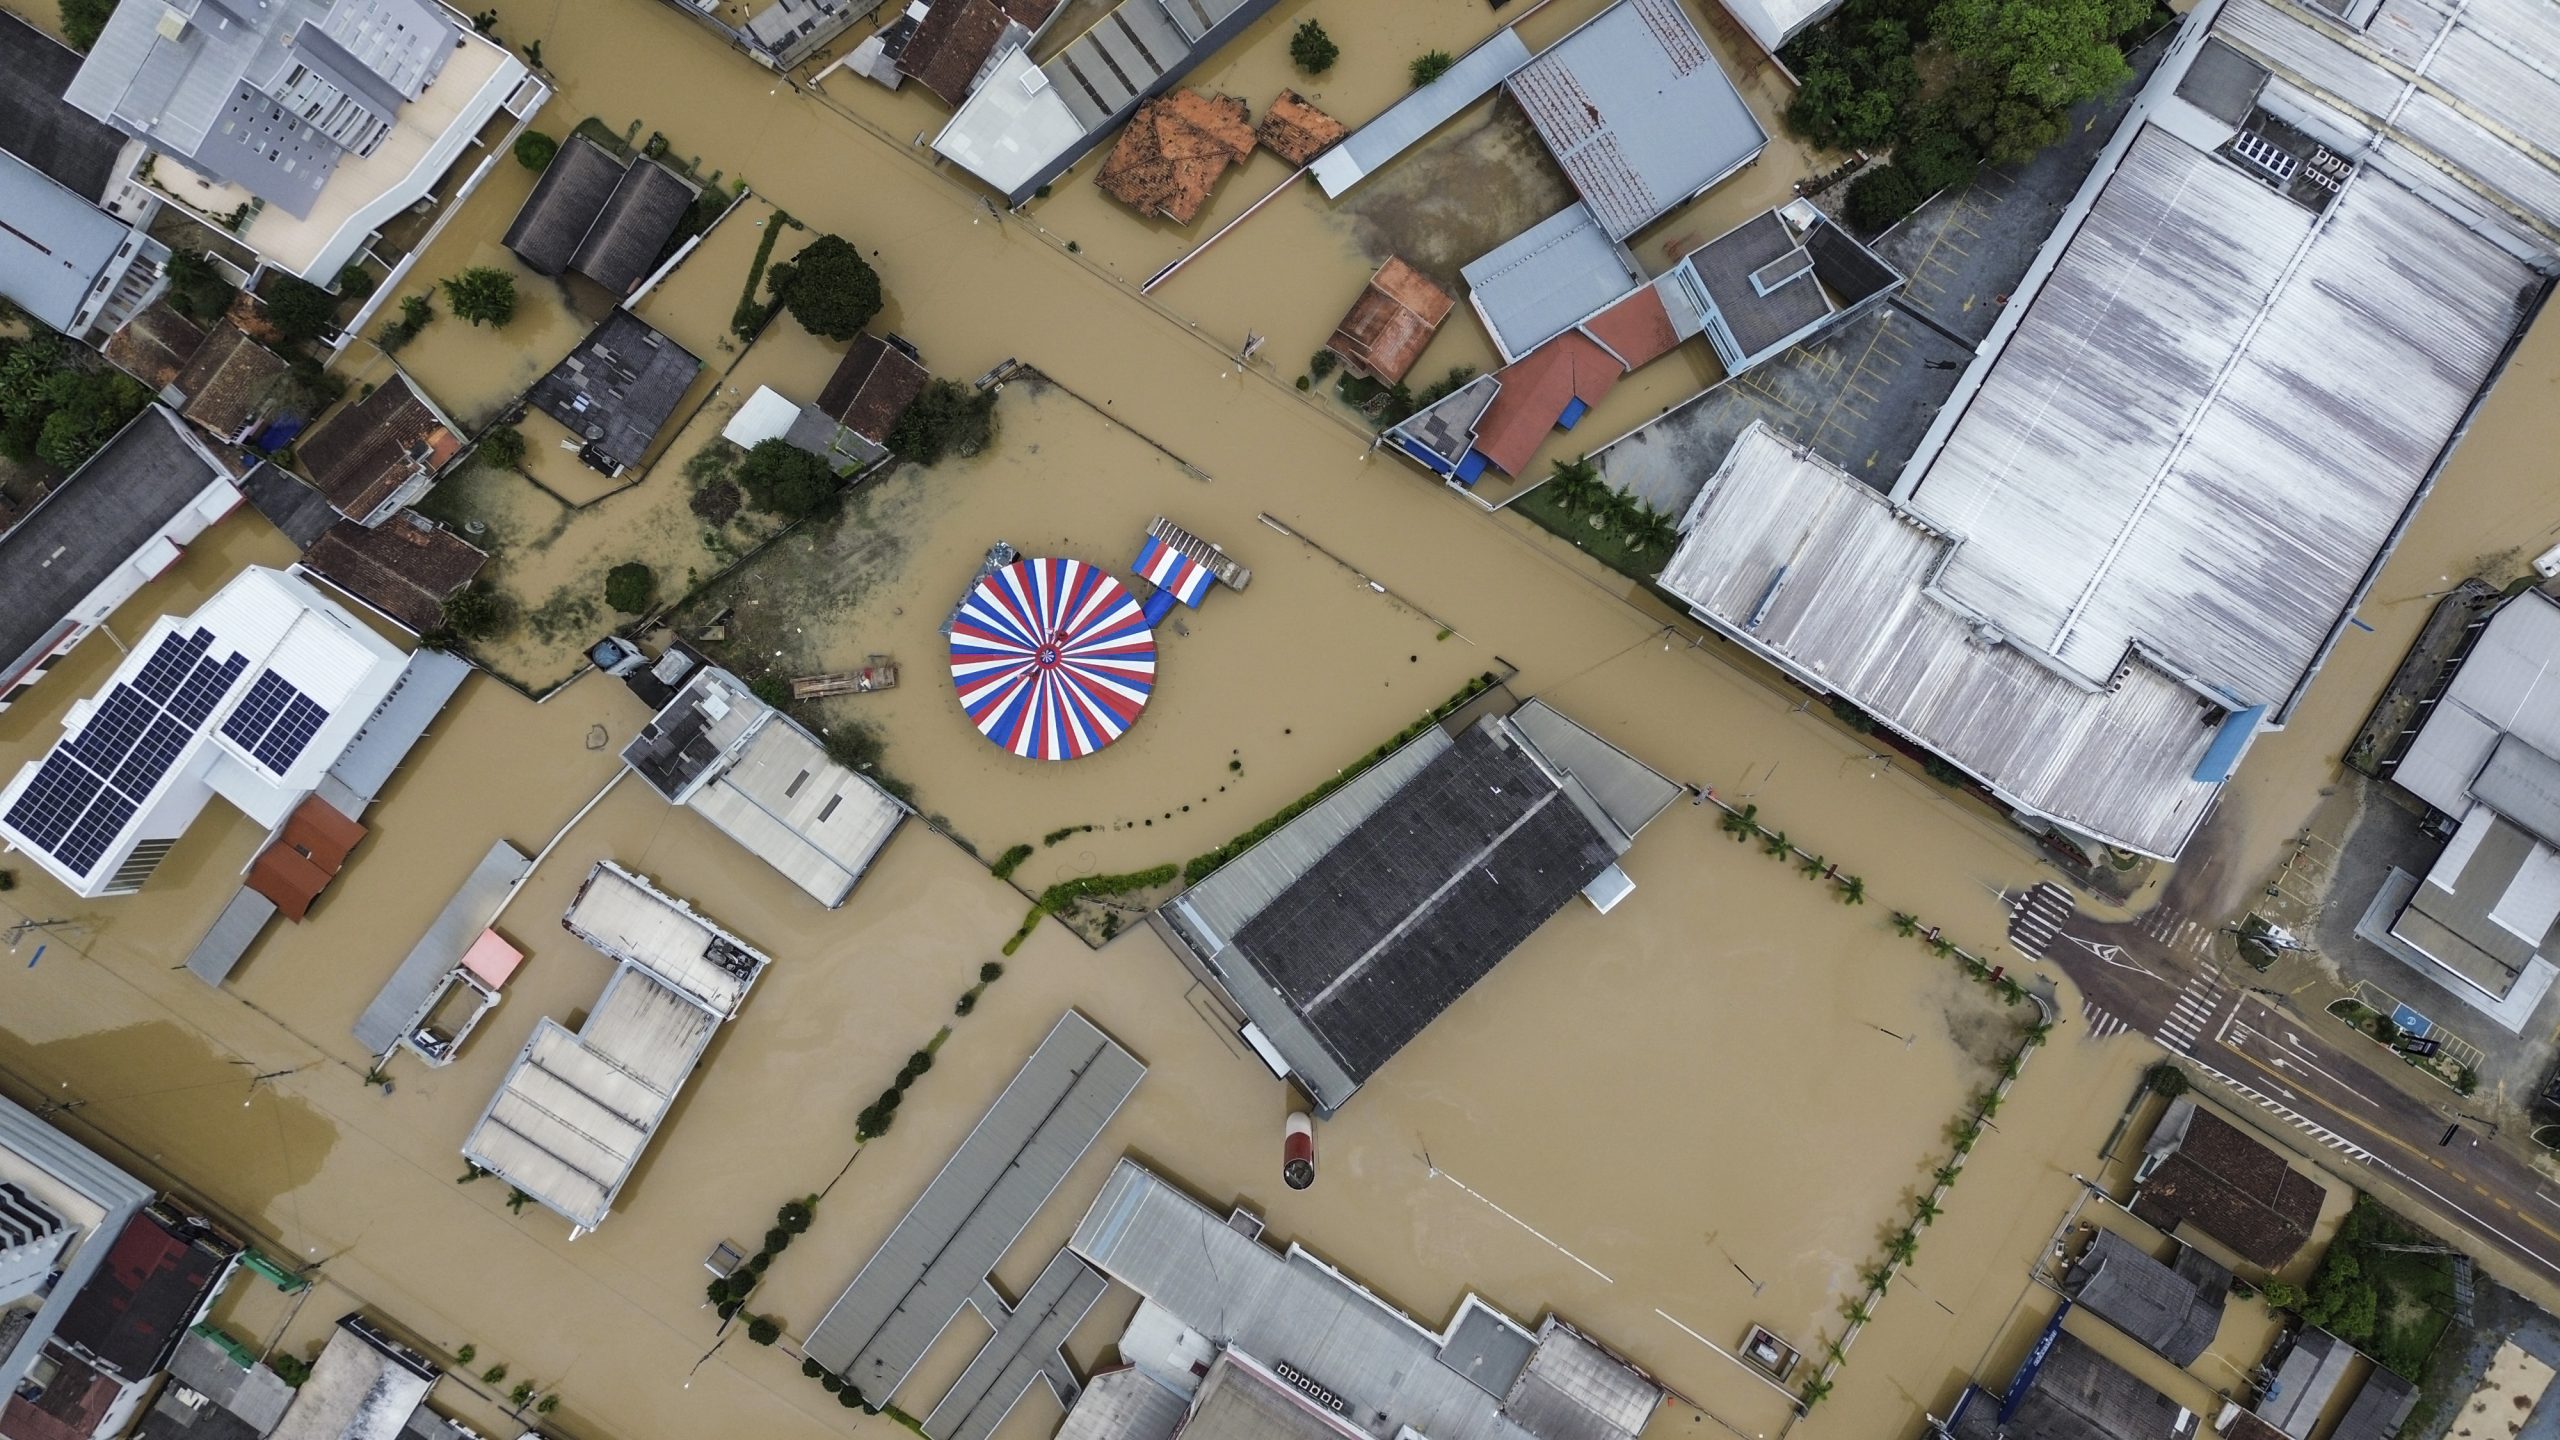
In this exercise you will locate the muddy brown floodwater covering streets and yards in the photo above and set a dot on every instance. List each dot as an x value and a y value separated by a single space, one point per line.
1704 1085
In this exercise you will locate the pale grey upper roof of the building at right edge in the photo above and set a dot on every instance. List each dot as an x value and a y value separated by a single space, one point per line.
2508 685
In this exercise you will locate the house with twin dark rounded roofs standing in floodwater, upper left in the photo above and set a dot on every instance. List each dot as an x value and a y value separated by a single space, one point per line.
600 217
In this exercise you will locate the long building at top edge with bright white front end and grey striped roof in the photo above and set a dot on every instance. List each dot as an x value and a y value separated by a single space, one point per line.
1025 124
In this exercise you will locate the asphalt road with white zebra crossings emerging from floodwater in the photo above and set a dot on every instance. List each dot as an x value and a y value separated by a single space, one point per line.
2159 975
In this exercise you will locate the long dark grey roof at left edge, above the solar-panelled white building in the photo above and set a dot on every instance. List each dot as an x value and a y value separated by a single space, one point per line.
91 527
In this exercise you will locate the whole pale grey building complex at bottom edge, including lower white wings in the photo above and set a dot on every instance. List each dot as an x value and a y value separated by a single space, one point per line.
1245 1341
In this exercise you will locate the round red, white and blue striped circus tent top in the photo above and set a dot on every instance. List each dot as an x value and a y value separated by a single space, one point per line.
1053 660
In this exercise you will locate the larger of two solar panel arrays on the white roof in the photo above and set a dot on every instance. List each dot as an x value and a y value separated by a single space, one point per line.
91 785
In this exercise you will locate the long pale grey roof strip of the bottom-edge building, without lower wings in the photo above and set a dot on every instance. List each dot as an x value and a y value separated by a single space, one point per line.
1292 1308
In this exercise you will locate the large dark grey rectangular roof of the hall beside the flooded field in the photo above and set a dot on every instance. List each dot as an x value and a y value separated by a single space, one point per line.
1425 898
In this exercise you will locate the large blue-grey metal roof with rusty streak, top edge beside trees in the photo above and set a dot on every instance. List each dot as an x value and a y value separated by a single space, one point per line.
1637 111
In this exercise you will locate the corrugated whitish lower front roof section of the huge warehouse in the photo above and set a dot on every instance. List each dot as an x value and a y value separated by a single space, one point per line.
1829 580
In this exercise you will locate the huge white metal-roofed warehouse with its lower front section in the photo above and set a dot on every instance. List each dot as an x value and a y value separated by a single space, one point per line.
2162 491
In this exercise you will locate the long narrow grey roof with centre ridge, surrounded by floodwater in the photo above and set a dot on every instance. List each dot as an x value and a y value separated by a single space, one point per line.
943 1249
